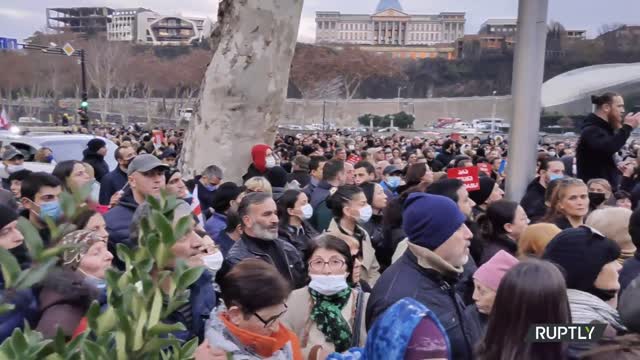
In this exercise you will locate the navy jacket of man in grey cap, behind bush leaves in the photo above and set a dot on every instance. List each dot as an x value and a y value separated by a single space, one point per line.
118 220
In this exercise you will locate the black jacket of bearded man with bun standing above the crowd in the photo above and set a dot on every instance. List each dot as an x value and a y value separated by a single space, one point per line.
596 148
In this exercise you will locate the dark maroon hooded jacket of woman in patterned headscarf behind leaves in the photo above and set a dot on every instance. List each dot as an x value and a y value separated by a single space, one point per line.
64 299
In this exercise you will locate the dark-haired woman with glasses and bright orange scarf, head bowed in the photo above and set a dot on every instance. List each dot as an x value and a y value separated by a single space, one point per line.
250 327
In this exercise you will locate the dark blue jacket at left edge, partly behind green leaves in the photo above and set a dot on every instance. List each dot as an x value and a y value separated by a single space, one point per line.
26 308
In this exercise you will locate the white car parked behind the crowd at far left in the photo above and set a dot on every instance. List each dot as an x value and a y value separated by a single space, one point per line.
64 146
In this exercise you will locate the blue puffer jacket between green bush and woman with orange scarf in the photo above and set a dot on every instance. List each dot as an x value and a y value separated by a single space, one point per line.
203 299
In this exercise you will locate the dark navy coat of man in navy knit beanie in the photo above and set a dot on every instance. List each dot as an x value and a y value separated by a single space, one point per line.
405 278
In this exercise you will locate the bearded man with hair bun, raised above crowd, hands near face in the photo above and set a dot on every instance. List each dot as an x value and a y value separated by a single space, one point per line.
603 135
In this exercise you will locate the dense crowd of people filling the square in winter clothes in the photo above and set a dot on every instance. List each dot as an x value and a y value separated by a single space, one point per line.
346 246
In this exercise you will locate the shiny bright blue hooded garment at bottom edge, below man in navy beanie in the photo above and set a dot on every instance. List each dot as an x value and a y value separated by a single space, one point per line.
391 334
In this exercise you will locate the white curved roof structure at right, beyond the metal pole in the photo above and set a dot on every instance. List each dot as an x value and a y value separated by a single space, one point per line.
581 83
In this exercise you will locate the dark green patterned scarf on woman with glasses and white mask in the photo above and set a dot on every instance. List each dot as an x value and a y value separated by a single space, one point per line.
327 314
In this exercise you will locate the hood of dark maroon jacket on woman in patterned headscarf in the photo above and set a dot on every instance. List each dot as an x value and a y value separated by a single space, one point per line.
66 286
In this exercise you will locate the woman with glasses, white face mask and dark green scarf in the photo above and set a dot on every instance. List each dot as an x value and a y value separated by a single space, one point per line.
328 314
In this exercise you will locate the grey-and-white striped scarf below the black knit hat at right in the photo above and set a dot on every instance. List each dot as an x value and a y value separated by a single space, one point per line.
586 308
